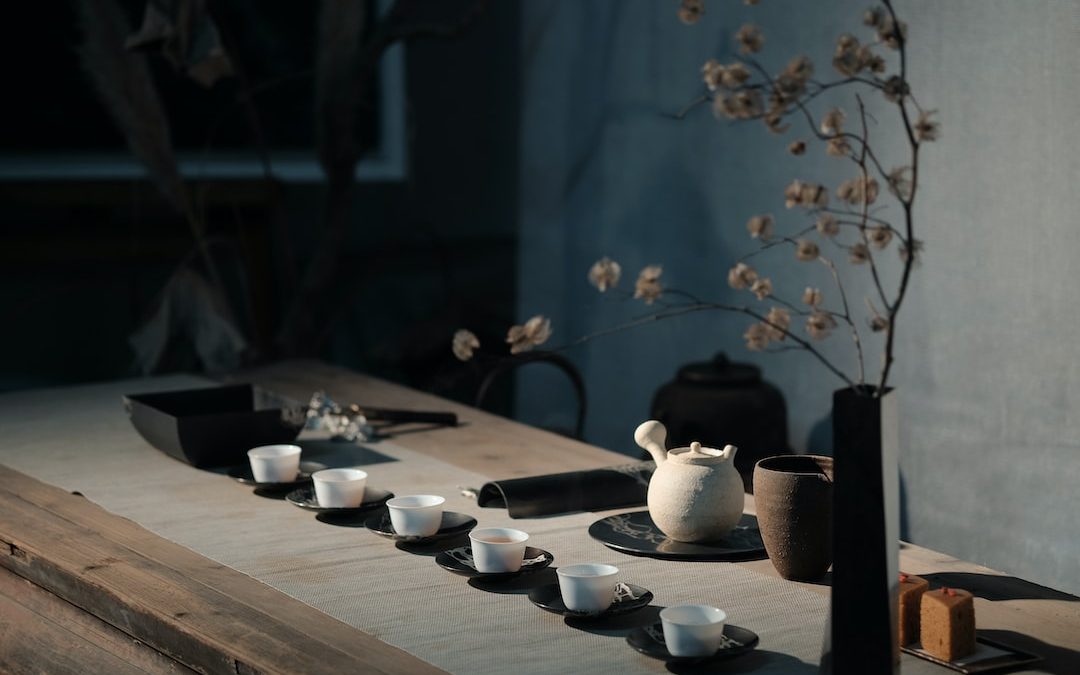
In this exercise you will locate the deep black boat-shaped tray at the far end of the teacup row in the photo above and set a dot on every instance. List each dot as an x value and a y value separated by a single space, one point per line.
214 427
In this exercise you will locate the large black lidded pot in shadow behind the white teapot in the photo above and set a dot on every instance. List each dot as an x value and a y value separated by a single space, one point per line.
719 402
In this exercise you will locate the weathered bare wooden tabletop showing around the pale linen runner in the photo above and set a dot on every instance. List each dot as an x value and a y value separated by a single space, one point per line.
83 590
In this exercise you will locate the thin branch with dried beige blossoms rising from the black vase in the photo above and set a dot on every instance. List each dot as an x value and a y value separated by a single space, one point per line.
736 96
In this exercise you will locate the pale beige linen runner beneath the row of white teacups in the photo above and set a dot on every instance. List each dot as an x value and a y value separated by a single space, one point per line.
80 440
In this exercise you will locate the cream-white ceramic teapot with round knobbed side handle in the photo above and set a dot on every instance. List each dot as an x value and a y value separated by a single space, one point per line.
696 493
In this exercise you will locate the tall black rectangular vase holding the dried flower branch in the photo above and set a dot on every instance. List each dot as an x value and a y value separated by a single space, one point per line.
866 534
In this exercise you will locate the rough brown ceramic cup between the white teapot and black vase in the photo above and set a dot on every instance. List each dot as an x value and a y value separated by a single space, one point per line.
794 499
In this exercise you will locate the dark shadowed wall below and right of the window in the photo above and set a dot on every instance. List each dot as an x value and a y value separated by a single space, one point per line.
83 264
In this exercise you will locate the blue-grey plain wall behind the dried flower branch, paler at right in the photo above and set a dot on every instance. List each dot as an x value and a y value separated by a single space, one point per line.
987 364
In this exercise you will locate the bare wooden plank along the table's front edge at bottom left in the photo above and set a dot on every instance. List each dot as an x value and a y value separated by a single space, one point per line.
196 612
